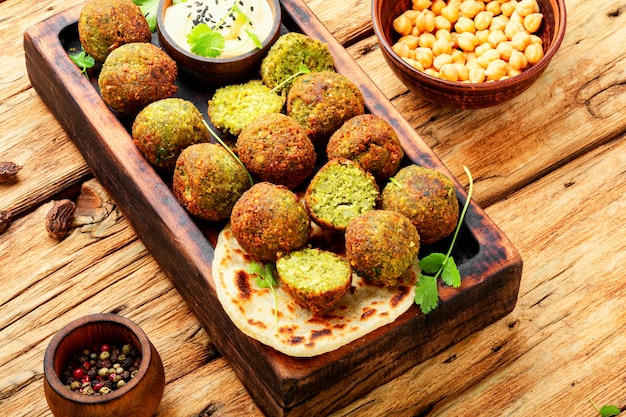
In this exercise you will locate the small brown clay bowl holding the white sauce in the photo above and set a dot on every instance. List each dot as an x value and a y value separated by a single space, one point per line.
217 71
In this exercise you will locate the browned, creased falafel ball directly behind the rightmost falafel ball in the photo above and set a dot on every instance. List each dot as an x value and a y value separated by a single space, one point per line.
372 142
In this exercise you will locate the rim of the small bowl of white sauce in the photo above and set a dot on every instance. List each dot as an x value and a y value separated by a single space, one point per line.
164 36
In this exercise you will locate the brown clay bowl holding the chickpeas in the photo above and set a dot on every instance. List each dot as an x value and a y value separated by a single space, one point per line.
459 94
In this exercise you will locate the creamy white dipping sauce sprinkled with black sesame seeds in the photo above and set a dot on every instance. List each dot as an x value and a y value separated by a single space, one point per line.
180 18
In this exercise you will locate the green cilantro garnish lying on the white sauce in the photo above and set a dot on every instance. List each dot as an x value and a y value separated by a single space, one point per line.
206 41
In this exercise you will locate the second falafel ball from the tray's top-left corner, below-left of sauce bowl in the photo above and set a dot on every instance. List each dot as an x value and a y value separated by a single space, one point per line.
135 75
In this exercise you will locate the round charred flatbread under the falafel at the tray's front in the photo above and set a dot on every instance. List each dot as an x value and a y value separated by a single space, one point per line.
294 331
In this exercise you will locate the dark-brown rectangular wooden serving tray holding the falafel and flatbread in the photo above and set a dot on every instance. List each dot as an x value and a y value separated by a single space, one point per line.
282 386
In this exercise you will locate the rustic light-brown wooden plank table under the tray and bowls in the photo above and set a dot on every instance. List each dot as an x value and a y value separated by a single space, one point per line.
550 170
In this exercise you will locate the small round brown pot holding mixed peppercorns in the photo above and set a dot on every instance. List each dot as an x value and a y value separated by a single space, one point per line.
140 397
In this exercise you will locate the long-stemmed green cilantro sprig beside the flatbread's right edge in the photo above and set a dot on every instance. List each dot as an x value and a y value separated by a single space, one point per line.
438 265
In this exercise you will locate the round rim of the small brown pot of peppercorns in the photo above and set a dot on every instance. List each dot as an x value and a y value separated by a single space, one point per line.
53 378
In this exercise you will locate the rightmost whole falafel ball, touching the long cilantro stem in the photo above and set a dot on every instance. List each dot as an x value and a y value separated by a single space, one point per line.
425 196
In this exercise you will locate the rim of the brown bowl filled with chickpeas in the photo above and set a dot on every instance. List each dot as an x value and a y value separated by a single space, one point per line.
557 38
